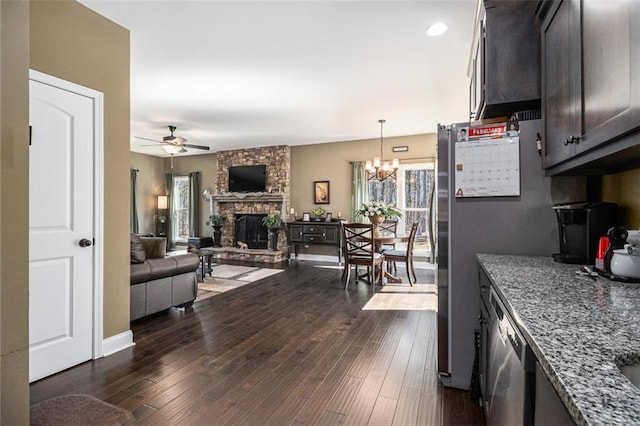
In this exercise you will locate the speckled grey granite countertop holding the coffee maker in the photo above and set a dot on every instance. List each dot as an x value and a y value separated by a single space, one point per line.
580 330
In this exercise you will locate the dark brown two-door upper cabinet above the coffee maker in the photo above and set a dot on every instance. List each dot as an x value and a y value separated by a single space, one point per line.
590 85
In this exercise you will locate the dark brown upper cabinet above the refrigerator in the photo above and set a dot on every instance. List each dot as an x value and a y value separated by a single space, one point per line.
506 60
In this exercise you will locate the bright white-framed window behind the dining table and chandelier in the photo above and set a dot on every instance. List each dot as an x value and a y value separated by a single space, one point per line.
411 192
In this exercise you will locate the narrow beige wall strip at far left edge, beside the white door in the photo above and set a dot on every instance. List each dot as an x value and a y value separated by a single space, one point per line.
14 178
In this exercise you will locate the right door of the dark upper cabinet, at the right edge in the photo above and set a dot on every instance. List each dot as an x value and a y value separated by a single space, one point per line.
611 65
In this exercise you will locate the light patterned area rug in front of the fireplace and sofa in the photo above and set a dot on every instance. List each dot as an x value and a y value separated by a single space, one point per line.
227 277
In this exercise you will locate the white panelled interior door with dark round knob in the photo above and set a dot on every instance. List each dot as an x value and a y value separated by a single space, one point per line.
61 229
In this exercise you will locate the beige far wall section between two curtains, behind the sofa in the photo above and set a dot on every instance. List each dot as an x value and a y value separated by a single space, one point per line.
151 171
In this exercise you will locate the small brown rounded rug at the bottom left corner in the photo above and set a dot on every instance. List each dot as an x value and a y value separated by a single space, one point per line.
78 410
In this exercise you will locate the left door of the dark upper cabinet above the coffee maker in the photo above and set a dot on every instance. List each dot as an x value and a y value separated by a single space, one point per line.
561 68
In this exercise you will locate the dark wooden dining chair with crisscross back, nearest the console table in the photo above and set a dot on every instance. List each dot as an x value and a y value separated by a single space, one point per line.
359 250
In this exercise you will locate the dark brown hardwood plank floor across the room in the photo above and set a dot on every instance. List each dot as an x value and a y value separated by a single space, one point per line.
294 348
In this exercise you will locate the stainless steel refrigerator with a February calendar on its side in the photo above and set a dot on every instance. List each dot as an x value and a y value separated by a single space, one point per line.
520 223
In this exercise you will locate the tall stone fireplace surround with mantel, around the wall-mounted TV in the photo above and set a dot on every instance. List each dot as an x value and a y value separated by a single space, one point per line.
236 205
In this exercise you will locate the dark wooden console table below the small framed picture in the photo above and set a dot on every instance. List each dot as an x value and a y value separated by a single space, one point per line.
313 233
